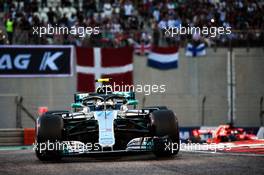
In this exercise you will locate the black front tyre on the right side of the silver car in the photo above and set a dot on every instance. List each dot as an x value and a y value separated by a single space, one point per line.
164 126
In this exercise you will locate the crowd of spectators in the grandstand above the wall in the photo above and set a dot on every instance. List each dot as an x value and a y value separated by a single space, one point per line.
126 22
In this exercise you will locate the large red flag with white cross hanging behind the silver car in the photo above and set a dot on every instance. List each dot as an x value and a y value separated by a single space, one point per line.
95 63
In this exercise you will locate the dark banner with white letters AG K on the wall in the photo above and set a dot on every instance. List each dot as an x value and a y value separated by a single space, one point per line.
36 61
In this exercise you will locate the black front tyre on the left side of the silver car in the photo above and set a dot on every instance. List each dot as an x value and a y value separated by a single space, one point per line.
48 134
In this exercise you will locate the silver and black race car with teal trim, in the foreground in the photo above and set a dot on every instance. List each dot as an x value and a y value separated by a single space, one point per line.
106 122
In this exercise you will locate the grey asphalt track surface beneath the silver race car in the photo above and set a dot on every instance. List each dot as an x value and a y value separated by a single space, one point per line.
25 162
